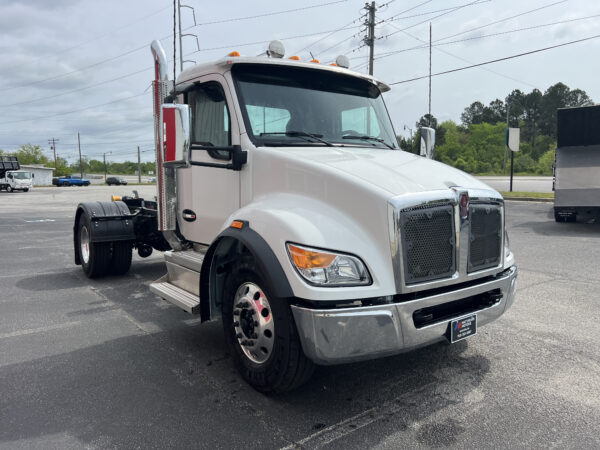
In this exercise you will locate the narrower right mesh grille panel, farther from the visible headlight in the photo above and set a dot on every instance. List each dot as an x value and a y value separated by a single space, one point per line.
485 239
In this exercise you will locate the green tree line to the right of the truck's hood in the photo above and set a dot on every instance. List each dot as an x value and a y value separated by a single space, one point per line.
477 144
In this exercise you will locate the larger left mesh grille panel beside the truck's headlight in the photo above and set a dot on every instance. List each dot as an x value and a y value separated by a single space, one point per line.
428 243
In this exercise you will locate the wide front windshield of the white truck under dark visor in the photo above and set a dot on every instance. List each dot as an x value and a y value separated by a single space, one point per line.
298 106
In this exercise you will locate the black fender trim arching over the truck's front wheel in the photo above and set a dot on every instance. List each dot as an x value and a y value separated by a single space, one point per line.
263 255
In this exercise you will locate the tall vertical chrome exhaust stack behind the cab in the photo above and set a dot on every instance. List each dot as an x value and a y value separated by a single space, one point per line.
165 176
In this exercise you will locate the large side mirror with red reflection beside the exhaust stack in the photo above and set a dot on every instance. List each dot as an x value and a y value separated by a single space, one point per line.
176 121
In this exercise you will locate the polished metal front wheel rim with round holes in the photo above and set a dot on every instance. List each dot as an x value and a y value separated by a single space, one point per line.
253 322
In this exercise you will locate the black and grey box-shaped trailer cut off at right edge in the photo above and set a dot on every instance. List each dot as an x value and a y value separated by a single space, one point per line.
577 163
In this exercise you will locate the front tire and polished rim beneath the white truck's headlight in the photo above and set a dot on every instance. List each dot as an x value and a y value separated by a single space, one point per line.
272 360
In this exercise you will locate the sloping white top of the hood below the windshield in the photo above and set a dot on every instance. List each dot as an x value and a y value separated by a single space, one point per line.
395 171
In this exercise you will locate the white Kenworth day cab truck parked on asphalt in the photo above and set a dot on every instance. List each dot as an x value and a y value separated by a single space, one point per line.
286 210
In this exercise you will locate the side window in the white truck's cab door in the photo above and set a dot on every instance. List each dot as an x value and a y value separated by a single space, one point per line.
210 118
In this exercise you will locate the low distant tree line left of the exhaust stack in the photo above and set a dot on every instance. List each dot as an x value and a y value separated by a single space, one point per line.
33 154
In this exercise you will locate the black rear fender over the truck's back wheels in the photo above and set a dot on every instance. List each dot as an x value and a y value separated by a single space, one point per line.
110 222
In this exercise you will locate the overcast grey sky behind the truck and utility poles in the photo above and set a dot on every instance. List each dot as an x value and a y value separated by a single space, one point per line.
84 66
